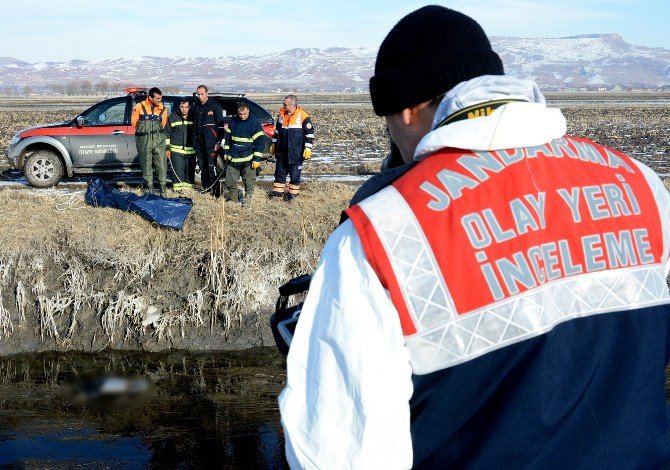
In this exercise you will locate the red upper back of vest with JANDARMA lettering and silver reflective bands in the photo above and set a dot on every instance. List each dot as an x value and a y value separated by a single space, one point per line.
480 250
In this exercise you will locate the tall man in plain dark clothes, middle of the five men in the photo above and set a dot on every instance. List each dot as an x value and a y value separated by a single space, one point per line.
208 130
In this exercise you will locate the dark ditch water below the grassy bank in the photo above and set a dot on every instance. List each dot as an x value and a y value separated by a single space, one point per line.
141 410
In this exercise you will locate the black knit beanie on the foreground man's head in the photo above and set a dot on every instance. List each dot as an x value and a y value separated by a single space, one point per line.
427 53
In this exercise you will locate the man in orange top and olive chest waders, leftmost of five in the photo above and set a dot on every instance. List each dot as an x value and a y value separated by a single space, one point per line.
149 118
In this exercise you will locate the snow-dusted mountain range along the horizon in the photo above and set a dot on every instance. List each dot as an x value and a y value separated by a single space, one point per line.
599 60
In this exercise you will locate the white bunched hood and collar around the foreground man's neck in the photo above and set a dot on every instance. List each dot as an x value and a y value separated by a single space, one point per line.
524 123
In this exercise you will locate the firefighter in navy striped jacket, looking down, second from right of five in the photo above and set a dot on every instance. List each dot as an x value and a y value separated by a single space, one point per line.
243 149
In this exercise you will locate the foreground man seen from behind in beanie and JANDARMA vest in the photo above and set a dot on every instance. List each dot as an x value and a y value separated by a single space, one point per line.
500 301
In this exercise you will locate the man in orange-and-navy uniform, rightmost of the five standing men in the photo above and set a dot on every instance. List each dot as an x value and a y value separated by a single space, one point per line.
291 145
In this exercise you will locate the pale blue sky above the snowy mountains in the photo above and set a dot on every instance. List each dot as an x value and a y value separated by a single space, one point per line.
50 30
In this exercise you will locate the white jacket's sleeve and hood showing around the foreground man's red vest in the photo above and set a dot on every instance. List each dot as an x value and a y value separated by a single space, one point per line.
345 404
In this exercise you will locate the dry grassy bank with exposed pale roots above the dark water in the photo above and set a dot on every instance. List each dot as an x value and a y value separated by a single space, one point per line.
74 277
